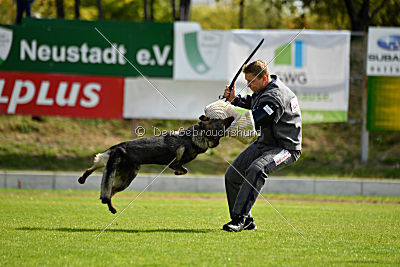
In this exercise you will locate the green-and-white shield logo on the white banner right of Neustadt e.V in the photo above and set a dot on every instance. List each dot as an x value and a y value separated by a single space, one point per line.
202 50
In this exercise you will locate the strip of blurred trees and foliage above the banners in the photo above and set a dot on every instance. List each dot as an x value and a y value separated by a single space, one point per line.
355 15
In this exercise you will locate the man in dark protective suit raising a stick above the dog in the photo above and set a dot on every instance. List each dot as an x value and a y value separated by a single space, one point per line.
276 112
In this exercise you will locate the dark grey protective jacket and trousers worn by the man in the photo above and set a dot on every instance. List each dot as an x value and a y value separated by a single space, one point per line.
278 146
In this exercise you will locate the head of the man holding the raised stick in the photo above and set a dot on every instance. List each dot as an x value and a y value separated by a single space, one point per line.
257 75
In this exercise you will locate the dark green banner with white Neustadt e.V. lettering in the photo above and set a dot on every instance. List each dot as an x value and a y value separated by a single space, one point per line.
83 47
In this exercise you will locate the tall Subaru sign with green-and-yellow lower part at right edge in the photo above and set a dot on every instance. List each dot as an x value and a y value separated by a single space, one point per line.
383 70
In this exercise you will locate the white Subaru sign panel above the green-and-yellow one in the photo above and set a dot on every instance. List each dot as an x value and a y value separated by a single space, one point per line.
383 51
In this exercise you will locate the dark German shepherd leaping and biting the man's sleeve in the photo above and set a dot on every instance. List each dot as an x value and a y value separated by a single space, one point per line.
122 161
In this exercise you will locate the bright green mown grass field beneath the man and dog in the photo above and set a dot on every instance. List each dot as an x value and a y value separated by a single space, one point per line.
59 228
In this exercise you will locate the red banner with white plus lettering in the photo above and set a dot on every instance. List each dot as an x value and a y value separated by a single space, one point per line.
61 95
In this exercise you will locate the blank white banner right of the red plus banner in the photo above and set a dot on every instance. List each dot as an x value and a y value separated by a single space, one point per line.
168 99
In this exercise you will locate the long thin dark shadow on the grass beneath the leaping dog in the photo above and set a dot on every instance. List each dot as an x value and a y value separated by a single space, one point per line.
78 230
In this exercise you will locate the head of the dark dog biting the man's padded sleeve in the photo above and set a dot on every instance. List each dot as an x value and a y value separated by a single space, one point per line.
213 129
